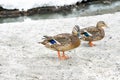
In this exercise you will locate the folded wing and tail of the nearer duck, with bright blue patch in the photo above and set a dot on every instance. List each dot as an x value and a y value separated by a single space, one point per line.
57 40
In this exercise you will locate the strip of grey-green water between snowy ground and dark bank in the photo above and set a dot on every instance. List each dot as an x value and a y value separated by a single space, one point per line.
96 9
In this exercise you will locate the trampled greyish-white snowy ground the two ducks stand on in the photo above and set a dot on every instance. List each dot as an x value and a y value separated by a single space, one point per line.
22 58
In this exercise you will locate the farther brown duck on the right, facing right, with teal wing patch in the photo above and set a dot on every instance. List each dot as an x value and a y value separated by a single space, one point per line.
93 33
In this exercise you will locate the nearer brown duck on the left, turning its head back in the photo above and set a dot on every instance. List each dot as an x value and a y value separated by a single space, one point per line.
63 42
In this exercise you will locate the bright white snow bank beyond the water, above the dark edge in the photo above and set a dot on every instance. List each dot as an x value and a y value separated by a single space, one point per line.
25 4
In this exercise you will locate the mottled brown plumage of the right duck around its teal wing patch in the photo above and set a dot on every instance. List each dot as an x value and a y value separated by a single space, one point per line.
96 31
